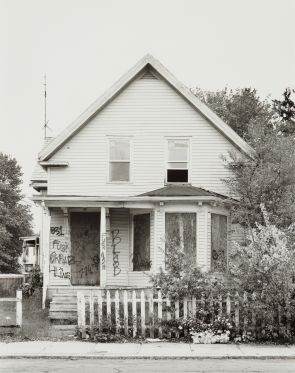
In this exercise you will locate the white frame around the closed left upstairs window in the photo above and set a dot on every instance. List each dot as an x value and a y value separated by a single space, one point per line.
109 161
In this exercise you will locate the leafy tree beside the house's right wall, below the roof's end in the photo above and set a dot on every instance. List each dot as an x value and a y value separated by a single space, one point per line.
268 178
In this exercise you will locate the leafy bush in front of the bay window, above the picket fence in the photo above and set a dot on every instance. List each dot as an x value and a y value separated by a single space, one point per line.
183 278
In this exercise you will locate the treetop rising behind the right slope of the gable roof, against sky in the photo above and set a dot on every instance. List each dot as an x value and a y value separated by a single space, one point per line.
242 109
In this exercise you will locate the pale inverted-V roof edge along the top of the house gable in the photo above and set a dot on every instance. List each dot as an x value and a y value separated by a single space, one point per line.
146 62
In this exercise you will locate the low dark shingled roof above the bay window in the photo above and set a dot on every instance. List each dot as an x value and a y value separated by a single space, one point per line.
181 191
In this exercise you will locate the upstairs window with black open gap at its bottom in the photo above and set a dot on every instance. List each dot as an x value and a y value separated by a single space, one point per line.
178 161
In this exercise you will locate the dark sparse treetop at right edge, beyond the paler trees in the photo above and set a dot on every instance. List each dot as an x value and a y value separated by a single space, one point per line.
286 111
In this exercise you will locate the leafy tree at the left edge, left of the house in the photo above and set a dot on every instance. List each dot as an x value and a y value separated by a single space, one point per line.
15 218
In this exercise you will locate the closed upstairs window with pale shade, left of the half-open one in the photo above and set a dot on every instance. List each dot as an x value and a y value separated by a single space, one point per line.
119 162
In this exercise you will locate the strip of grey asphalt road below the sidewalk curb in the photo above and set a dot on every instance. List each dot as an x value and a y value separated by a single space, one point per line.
143 366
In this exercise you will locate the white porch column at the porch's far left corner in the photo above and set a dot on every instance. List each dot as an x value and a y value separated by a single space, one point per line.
44 243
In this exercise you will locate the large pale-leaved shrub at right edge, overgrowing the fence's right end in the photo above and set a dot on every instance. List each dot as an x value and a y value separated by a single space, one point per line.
265 267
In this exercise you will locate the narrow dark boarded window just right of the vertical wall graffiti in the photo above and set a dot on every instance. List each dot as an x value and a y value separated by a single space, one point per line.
141 243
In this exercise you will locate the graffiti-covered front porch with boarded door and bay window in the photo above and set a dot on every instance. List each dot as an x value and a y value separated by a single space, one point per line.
91 243
